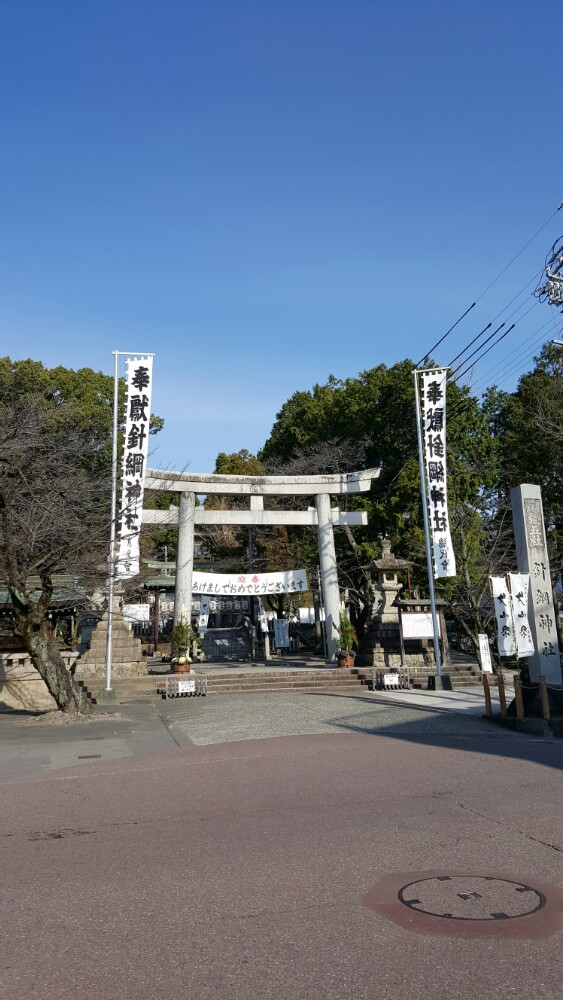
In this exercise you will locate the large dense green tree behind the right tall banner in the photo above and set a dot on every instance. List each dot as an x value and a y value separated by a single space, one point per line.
322 429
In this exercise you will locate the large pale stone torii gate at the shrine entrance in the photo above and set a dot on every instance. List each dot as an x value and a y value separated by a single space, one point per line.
187 515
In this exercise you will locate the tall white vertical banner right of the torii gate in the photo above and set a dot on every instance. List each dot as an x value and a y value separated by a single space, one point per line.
433 420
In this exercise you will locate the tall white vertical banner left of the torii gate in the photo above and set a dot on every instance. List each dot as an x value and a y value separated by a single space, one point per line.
135 451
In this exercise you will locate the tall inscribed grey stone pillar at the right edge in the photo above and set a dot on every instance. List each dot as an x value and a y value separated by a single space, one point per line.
531 554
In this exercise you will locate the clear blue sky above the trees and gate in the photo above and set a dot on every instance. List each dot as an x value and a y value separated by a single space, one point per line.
264 192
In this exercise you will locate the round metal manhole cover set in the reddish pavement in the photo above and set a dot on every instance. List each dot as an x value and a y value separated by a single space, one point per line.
471 897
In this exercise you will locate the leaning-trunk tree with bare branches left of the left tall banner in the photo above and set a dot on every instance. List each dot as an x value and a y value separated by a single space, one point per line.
55 486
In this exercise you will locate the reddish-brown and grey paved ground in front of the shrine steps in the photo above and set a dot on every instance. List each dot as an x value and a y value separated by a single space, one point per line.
194 857
